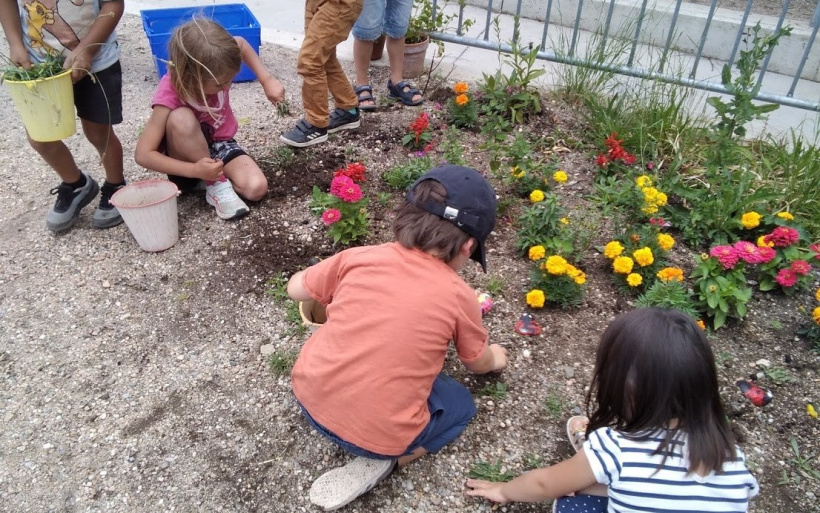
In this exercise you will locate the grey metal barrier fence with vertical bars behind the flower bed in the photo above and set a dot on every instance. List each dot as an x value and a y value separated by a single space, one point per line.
662 38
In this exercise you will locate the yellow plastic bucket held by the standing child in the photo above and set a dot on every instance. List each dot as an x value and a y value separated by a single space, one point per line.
46 106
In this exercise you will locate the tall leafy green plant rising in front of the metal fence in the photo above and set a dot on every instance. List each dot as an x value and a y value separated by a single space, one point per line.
739 111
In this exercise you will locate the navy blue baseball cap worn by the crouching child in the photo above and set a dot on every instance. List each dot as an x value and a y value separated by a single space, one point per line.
470 204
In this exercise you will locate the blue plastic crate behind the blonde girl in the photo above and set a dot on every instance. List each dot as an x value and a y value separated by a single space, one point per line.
237 19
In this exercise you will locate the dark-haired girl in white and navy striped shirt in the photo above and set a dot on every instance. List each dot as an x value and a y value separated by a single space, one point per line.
657 438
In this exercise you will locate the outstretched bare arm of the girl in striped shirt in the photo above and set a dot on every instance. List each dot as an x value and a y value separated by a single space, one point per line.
544 483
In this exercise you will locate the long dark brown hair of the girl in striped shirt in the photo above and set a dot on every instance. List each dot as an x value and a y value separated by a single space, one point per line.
655 365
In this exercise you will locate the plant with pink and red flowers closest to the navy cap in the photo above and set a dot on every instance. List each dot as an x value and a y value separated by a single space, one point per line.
344 209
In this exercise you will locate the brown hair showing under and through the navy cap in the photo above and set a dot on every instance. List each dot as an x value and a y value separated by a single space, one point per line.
416 228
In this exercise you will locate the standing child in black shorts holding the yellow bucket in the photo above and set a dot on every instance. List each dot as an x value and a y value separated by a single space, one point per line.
84 32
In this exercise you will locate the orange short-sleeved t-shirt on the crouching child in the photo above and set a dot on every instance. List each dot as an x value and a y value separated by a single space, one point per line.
367 372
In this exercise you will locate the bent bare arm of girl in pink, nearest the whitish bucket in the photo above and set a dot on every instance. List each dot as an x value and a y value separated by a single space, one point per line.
147 153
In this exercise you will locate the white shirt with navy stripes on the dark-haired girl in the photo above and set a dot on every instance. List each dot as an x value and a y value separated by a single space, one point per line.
637 484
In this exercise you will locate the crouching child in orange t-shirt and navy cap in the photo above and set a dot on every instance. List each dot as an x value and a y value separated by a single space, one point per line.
370 378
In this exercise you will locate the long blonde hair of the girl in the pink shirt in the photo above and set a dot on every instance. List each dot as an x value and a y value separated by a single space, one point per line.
201 49
